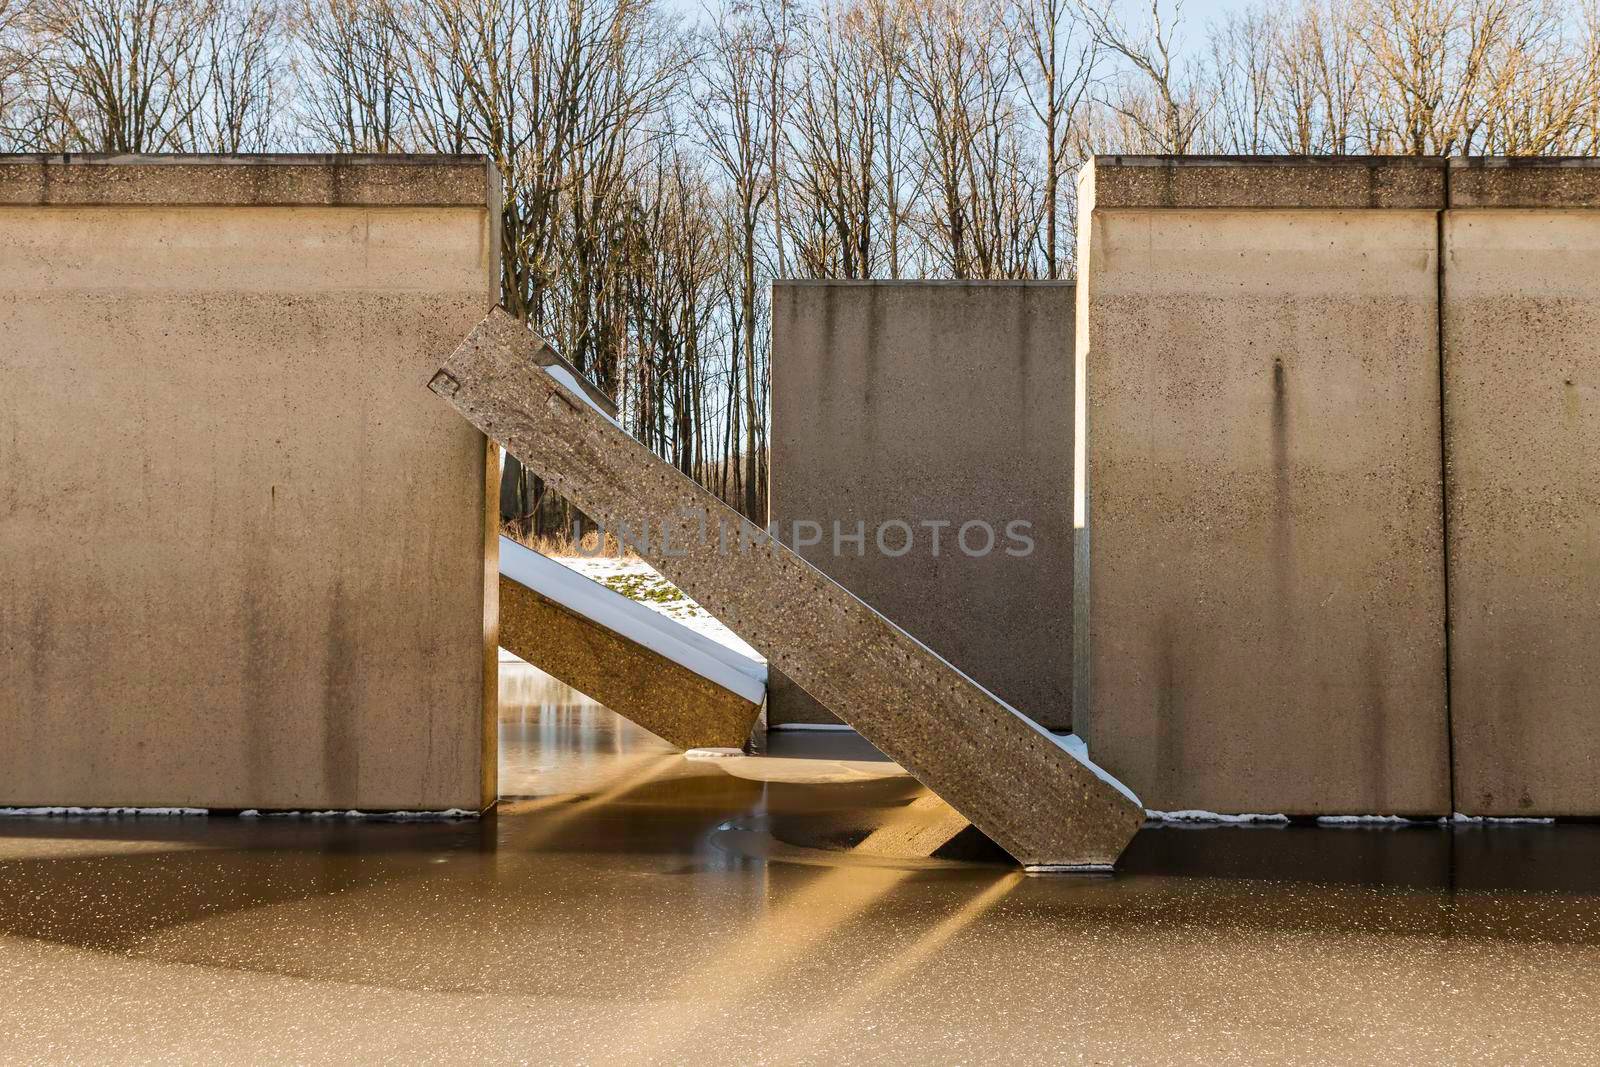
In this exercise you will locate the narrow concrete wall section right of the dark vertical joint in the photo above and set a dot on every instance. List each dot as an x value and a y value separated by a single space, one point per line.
1522 423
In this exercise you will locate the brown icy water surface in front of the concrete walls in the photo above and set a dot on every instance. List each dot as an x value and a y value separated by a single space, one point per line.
633 906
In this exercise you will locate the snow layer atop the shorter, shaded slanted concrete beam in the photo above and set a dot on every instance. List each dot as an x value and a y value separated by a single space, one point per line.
650 629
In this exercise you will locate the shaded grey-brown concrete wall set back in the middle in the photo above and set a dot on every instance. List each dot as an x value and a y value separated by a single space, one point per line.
927 402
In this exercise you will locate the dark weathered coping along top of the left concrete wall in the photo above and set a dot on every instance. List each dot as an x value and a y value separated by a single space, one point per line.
249 180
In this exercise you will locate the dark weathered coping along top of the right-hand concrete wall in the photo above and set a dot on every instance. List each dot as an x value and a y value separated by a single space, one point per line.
1340 182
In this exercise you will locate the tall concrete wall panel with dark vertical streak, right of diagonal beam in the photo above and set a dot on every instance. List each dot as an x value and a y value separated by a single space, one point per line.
1262 498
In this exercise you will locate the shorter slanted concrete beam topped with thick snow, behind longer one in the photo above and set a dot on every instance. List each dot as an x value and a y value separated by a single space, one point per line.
676 684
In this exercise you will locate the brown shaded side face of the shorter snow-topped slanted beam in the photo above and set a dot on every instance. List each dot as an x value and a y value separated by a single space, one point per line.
644 687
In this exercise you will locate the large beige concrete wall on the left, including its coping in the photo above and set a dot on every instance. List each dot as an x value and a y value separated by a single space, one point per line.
247 557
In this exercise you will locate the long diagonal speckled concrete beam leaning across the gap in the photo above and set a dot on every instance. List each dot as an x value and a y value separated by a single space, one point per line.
1015 781
